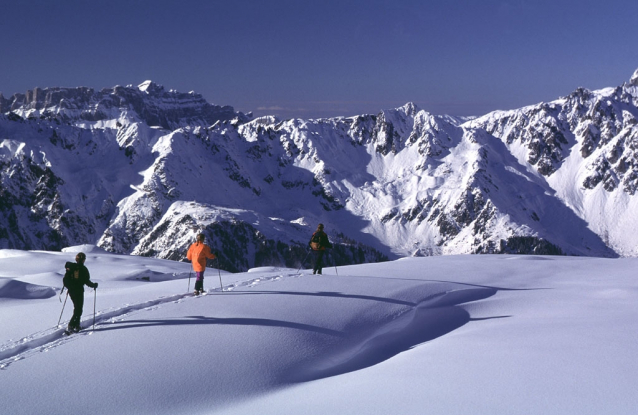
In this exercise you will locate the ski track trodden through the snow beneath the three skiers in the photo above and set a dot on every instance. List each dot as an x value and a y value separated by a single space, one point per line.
46 340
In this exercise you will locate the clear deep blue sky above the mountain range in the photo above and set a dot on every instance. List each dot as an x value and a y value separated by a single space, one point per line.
325 58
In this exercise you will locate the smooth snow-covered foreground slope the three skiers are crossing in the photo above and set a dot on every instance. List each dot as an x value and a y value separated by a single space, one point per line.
482 334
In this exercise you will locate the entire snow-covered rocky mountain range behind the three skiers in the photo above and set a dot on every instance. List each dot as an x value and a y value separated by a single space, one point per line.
140 170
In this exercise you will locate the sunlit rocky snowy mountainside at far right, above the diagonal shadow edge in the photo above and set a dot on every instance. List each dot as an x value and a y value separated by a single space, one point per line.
584 144
